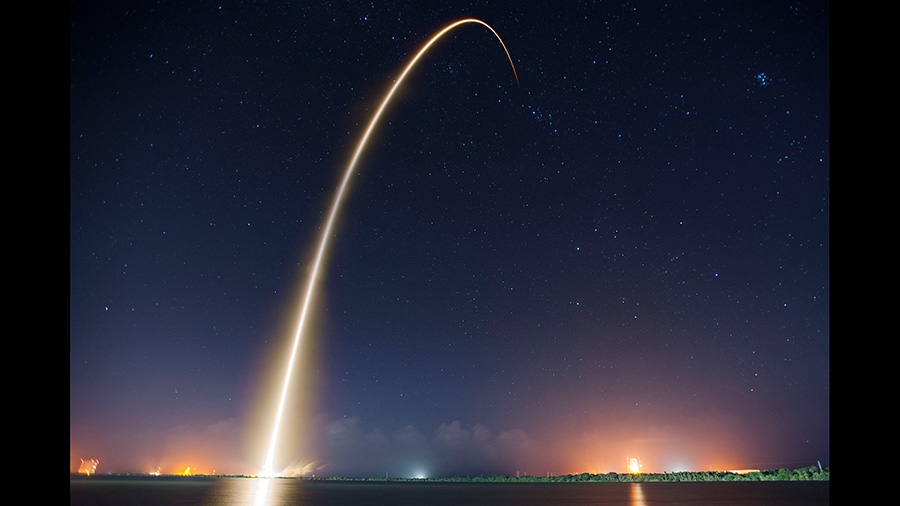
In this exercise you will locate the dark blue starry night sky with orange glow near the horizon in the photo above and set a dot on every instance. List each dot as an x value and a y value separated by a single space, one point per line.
624 255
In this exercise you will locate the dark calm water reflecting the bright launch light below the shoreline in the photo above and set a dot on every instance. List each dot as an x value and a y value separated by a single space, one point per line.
158 491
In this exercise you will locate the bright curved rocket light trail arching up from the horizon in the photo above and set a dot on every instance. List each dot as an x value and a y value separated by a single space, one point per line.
268 467
